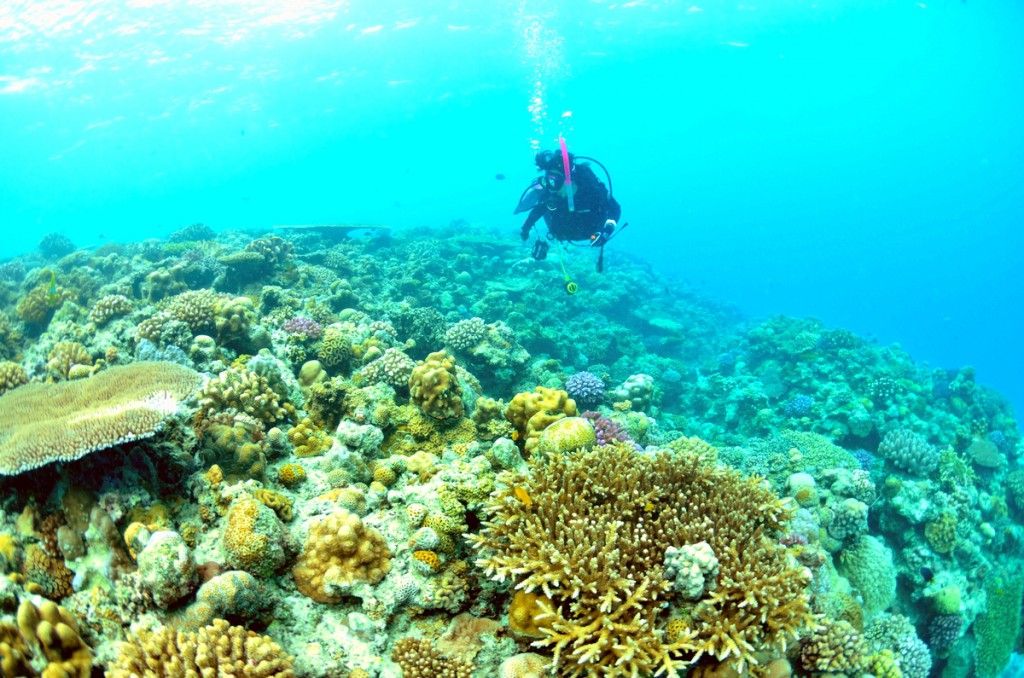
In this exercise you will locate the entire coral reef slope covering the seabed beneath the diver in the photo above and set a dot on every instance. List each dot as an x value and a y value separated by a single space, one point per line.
262 455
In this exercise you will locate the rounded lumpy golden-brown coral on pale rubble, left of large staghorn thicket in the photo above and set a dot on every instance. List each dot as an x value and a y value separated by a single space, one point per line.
340 552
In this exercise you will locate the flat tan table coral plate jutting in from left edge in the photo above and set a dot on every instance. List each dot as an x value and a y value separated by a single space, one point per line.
46 423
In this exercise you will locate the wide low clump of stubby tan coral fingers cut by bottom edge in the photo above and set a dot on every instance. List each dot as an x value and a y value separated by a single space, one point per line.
219 650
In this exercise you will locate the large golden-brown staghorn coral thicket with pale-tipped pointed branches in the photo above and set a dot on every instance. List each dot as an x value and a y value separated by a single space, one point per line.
593 537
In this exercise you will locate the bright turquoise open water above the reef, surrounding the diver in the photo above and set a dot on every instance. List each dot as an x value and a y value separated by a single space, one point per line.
860 162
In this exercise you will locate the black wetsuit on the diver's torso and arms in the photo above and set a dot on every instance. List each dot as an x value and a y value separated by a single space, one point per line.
592 205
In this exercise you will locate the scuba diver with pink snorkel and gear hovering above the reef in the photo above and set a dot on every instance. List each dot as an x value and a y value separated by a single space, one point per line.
590 214
